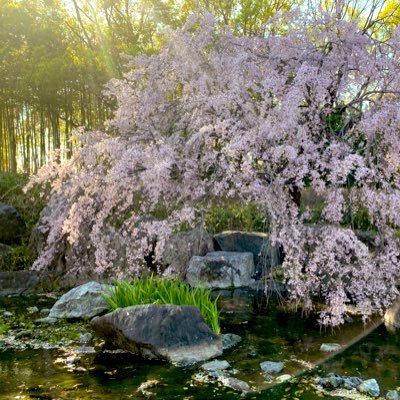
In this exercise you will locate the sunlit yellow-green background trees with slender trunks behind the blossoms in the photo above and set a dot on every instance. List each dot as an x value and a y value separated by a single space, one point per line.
56 56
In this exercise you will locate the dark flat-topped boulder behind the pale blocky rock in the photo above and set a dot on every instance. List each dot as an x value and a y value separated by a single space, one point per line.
265 255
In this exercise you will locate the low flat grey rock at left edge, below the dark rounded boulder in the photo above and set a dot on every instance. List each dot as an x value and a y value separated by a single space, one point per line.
19 282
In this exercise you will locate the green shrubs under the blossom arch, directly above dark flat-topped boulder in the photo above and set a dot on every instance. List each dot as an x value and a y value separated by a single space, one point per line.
234 215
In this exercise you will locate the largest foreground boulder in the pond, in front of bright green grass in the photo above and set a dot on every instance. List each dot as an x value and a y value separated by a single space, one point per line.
177 334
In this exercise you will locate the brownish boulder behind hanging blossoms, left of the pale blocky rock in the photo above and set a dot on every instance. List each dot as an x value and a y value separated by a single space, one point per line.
182 246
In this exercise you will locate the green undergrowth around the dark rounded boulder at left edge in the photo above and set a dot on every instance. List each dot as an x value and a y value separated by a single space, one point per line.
29 206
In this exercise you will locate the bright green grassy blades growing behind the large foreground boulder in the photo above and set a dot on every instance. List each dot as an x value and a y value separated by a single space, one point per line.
150 290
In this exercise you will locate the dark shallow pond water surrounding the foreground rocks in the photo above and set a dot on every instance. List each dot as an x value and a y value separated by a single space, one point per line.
268 333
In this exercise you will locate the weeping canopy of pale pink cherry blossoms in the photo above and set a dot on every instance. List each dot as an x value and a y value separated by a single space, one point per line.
314 106
